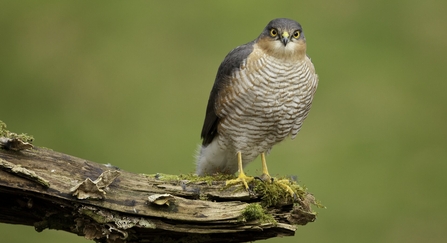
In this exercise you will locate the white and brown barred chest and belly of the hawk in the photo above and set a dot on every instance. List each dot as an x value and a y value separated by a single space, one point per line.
264 102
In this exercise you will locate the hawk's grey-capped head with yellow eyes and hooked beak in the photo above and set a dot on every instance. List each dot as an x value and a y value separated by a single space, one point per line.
283 38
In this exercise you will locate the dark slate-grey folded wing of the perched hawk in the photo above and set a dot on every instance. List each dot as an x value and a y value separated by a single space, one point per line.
232 61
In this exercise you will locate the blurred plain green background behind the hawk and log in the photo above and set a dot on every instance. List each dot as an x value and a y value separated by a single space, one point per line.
127 83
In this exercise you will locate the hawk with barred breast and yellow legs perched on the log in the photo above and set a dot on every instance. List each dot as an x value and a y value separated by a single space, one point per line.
262 93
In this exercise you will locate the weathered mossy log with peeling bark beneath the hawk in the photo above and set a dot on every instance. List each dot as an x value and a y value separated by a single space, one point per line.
46 189
